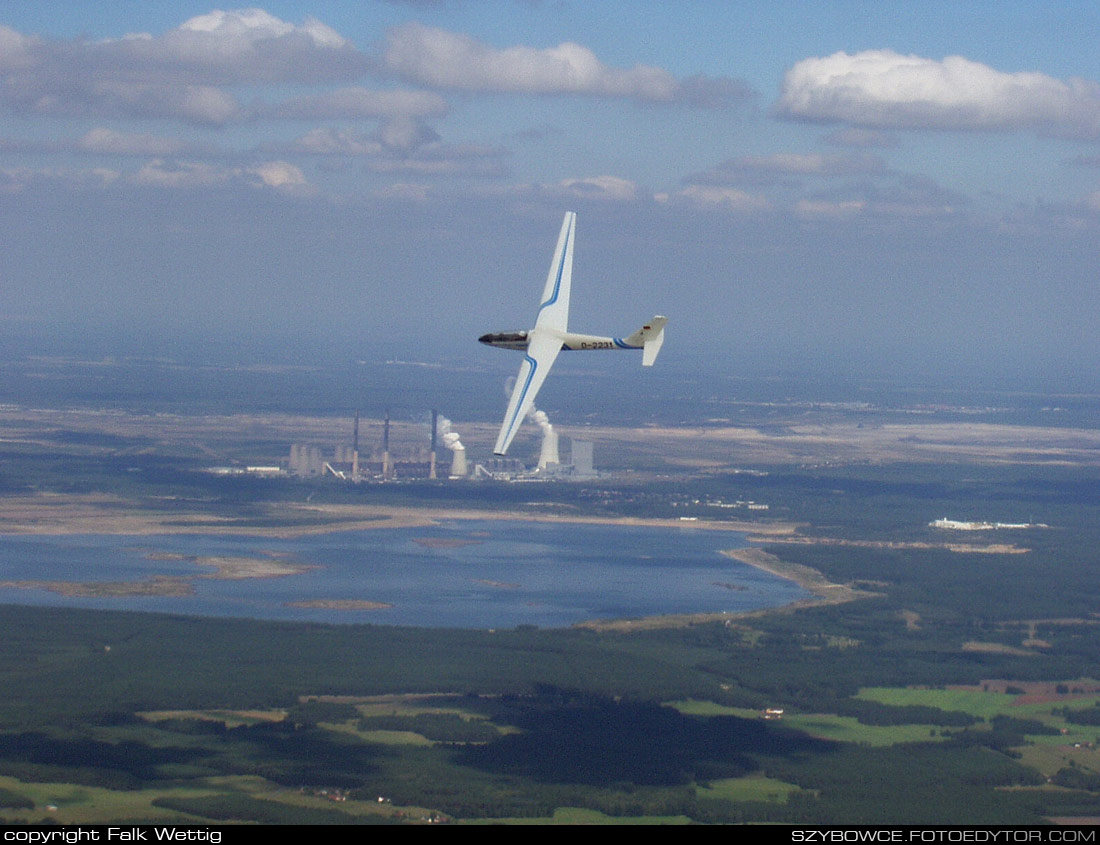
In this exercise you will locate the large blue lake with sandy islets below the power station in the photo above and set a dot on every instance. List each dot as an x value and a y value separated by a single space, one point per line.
461 574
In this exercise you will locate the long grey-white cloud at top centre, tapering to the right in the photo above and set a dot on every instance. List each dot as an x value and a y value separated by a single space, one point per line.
453 61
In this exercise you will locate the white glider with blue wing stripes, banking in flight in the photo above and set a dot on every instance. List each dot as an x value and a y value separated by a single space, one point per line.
551 336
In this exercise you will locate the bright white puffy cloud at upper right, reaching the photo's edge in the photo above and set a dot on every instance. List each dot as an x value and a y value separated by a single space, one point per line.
885 90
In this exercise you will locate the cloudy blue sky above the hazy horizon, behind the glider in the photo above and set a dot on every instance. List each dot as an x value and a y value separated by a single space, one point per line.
882 188
